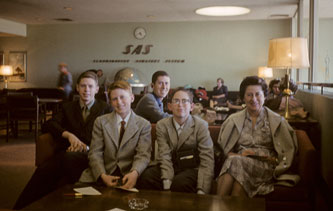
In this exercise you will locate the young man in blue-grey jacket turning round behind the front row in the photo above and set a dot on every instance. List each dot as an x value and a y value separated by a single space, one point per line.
150 106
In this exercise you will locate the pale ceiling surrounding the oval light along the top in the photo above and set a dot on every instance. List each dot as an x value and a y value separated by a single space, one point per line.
111 11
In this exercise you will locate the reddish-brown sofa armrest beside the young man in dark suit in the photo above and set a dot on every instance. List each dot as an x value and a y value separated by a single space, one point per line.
45 148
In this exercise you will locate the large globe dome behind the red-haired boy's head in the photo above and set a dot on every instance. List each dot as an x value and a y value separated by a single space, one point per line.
133 76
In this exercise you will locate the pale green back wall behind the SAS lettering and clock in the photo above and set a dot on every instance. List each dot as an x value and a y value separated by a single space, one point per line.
229 49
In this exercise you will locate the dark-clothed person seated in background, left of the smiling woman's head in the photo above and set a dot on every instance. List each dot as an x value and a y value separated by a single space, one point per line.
219 94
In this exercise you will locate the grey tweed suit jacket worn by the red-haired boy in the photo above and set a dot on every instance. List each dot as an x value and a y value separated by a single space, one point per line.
105 153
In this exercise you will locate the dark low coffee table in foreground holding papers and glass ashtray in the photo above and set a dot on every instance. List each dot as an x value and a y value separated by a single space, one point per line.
158 200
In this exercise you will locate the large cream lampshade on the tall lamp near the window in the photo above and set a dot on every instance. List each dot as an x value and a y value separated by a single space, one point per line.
291 52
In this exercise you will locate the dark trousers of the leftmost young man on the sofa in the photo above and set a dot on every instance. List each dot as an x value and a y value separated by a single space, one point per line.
63 168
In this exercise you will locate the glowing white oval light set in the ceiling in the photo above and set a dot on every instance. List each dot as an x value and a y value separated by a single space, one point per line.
222 11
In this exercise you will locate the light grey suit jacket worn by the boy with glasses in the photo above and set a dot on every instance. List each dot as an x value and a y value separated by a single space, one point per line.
195 135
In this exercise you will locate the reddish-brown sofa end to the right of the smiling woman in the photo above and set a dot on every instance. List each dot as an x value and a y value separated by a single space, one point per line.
307 163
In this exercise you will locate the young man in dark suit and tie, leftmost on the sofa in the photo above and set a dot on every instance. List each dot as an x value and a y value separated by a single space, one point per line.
71 128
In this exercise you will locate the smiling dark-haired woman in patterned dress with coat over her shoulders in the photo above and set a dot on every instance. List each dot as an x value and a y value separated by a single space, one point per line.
258 145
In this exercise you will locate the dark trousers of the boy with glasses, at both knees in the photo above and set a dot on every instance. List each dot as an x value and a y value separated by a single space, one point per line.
183 181
